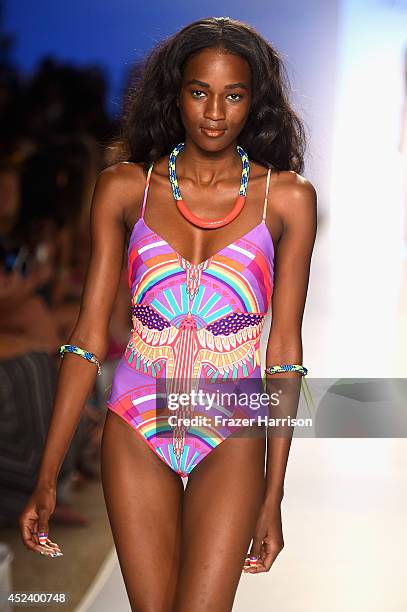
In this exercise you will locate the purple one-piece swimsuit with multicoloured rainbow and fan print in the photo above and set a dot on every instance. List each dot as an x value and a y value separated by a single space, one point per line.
190 322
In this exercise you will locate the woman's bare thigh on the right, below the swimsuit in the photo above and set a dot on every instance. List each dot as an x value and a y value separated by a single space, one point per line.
221 506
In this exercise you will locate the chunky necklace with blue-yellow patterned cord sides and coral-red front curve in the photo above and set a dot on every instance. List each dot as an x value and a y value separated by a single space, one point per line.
194 219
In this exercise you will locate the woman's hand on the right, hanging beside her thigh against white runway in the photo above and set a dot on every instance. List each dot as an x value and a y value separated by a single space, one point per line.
268 540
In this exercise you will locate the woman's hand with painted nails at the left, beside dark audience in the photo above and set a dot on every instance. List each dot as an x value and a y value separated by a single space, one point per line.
34 519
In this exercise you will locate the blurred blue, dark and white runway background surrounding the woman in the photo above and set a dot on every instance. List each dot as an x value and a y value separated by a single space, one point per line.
64 71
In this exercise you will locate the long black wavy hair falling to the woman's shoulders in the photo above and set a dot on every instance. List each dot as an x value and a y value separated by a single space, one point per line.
151 124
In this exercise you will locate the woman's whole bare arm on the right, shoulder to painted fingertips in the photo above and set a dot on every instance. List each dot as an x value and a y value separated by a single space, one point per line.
295 204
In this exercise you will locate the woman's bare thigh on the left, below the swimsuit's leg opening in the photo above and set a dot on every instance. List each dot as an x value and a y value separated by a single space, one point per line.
144 504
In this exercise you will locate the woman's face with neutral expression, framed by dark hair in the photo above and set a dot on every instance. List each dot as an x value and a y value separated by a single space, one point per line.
215 98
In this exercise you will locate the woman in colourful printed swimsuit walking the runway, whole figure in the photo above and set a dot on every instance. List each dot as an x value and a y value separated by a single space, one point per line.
221 225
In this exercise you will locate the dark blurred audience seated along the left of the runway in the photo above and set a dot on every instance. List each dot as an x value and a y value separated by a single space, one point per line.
55 140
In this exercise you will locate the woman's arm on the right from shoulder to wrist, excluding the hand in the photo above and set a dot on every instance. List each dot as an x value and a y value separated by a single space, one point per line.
295 202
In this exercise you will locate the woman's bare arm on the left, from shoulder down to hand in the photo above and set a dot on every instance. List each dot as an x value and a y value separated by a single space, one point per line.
76 377
